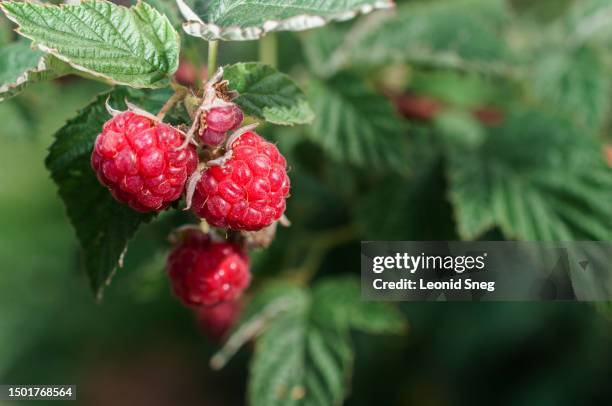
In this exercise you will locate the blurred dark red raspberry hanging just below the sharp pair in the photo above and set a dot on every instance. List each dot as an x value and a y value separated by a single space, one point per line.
205 272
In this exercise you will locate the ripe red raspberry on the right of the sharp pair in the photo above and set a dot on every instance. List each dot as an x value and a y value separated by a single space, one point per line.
248 192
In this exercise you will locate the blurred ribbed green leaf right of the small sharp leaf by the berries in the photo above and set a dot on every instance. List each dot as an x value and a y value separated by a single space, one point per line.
357 125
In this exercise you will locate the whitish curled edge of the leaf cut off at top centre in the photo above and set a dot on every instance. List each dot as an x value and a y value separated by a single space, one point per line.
194 25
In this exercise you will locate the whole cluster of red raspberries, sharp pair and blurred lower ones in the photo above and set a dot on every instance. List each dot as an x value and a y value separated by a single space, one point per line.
147 165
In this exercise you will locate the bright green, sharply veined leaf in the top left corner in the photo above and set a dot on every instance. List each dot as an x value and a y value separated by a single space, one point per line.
134 46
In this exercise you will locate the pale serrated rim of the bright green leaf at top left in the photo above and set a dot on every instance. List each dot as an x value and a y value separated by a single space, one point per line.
55 53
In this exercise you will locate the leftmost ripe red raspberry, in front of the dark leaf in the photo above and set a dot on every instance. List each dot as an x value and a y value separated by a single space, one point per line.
137 159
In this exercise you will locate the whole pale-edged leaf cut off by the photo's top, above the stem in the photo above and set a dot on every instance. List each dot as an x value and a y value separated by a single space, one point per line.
251 19
